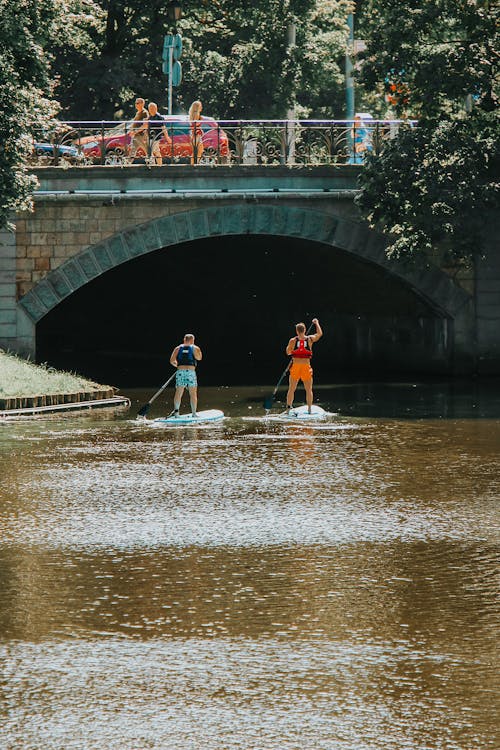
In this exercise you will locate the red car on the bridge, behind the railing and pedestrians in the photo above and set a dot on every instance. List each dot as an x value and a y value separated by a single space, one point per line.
108 145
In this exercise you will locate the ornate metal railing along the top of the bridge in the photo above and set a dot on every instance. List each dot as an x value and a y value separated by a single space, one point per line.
229 142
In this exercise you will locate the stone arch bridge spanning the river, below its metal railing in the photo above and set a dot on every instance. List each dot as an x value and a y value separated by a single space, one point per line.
88 222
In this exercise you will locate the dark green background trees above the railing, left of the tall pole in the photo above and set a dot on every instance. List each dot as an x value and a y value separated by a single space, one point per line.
236 59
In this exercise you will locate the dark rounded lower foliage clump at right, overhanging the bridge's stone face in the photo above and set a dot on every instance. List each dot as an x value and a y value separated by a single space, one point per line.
431 186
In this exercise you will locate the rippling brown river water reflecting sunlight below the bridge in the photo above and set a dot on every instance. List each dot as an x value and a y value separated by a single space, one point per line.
254 585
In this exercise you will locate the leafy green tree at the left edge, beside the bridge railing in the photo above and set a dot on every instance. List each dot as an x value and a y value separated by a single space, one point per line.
26 33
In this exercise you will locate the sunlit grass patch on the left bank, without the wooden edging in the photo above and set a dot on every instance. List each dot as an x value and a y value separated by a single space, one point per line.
20 378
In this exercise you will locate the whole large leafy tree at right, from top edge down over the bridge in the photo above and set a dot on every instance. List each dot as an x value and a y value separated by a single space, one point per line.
431 184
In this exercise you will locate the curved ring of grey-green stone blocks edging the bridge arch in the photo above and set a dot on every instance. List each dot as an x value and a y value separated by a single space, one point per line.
434 286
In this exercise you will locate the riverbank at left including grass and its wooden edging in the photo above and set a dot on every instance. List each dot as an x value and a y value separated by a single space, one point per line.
27 388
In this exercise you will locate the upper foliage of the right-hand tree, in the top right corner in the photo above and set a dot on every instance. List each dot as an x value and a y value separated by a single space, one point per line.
442 50
